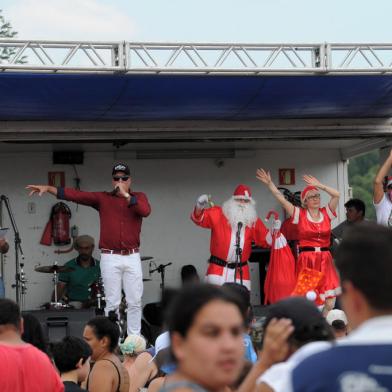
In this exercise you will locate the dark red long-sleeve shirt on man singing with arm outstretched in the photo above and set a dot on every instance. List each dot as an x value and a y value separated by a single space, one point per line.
120 220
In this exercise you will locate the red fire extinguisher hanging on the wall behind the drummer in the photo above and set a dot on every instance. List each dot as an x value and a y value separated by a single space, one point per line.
58 226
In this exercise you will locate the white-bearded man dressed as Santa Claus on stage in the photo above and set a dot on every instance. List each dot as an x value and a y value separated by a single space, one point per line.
238 214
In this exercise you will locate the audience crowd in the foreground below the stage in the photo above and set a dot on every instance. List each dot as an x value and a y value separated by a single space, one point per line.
203 343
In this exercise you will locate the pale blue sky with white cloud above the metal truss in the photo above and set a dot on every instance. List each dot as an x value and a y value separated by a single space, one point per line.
264 21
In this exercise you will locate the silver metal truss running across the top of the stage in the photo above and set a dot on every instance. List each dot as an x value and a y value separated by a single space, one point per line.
194 58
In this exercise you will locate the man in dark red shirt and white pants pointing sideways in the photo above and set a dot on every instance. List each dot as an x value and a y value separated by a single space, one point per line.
121 213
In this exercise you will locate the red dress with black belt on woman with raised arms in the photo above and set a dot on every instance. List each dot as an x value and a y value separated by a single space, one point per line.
317 235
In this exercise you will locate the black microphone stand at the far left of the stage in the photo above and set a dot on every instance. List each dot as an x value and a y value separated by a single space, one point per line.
20 278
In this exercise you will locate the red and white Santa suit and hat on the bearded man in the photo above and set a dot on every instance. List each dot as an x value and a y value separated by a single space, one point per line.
223 244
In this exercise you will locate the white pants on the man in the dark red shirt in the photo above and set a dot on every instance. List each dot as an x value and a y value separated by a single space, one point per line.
123 272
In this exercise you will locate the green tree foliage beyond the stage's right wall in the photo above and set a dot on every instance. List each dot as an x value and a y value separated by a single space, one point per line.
361 173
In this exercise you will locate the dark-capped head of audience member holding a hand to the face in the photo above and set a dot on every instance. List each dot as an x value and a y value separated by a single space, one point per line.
309 323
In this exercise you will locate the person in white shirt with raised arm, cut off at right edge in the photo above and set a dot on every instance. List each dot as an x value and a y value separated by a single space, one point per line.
382 199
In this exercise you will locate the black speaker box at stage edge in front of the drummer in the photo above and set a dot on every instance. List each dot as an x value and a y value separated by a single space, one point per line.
57 324
